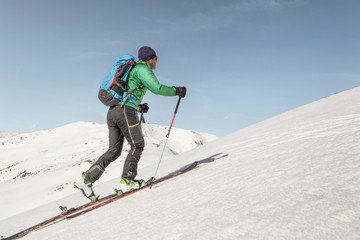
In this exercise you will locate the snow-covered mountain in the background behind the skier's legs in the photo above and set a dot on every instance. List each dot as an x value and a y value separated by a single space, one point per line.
40 167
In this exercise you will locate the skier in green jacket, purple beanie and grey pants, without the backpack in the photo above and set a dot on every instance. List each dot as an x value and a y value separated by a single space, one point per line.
123 122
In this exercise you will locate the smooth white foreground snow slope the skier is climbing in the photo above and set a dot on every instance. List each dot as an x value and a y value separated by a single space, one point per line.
294 176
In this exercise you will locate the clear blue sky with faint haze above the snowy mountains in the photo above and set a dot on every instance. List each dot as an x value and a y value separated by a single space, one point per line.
242 61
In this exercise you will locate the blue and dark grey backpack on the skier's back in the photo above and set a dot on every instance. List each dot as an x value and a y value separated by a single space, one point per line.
113 88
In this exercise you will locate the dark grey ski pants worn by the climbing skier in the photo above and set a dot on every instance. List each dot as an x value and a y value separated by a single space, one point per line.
122 122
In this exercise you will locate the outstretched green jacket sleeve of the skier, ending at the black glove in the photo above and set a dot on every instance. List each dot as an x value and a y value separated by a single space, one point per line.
150 81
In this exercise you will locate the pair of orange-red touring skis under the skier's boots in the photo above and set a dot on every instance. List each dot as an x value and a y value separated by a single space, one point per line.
70 213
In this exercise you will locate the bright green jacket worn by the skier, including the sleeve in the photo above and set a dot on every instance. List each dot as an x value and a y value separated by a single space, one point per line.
142 78
